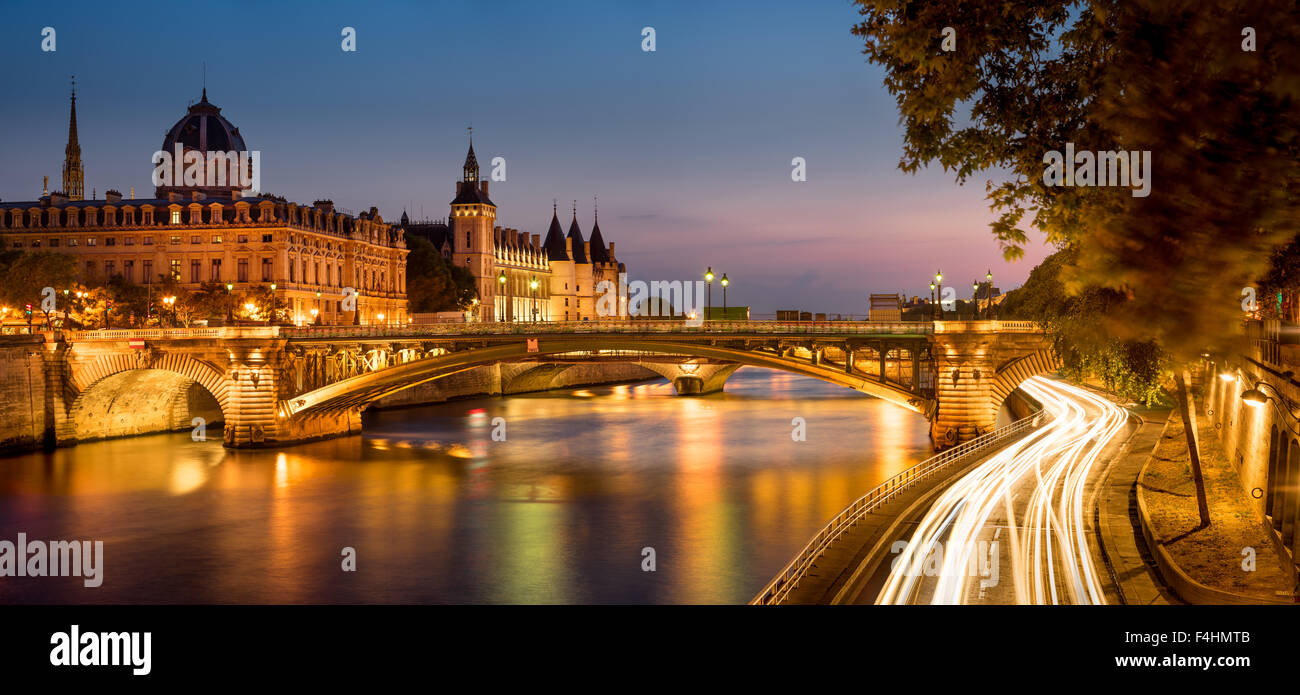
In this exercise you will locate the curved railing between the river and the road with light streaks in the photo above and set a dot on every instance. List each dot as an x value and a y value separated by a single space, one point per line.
790 577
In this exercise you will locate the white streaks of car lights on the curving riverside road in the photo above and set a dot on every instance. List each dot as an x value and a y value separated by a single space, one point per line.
1037 488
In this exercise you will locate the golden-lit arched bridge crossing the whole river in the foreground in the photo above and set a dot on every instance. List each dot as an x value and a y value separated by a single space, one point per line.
276 386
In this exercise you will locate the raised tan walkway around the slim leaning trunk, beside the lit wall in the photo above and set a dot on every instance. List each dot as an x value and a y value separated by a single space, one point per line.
1207 566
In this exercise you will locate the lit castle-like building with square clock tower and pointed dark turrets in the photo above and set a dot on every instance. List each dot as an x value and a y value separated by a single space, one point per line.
521 277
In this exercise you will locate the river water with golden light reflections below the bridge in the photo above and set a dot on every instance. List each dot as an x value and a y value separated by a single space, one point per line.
560 507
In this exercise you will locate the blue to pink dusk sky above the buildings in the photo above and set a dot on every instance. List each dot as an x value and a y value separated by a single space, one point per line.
688 147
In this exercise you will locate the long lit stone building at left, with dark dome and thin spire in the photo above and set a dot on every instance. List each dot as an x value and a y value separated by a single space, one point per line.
319 259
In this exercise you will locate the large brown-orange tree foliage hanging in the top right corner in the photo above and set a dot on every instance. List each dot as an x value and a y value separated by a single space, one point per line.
1163 76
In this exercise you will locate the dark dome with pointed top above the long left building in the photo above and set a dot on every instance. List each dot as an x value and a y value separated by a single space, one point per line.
206 132
